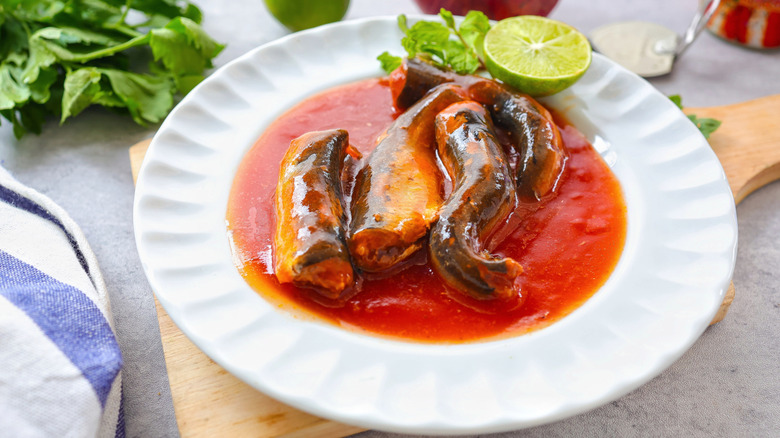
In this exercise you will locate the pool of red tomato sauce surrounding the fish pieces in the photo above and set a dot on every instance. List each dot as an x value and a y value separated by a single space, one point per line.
568 244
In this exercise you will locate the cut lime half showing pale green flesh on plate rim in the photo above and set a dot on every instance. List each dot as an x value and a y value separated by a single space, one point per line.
536 55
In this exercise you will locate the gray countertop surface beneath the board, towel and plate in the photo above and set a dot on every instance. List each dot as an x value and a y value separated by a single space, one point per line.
727 384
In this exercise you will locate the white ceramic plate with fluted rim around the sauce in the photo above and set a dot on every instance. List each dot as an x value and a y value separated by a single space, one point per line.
672 276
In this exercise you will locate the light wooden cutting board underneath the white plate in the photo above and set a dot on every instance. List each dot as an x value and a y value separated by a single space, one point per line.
209 401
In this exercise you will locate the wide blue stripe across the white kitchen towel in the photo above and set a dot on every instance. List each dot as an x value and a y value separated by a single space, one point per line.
68 317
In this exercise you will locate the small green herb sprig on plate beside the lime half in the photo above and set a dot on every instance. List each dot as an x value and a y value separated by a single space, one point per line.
444 44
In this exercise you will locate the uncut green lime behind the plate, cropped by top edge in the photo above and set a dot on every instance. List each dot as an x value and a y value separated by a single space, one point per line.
304 14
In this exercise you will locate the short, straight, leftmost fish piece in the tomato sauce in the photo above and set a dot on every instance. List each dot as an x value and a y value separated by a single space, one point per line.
309 243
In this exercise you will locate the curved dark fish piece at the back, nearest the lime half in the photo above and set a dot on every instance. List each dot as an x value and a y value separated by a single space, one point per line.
534 133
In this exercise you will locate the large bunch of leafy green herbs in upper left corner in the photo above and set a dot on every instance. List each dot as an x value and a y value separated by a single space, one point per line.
59 57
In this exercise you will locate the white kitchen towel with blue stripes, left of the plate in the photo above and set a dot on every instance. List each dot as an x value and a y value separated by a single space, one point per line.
59 359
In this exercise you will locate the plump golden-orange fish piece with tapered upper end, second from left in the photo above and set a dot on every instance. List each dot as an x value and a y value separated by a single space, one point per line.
398 192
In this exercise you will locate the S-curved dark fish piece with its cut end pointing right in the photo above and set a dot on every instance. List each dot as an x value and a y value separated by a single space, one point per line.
482 197
